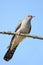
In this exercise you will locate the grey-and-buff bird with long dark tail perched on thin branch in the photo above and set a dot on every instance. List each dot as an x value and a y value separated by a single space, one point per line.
23 27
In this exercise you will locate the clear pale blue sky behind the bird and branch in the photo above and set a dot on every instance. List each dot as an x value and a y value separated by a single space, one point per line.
29 51
